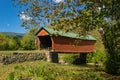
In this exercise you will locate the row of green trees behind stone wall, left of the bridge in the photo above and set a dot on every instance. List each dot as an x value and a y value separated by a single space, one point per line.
27 42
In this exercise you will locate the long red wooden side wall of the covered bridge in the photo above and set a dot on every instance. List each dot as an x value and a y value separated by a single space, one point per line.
63 44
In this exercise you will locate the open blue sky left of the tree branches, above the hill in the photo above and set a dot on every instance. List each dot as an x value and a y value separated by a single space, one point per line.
9 21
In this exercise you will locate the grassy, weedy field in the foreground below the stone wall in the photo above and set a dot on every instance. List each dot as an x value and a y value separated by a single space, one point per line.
41 70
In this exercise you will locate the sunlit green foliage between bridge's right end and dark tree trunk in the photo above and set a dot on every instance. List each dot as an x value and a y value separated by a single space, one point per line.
99 55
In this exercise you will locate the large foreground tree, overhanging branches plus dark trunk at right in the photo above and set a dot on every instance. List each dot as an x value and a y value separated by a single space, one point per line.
82 16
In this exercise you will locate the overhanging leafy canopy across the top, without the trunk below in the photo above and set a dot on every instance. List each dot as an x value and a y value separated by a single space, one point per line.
45 12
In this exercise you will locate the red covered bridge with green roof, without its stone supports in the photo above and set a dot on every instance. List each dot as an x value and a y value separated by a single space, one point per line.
68 42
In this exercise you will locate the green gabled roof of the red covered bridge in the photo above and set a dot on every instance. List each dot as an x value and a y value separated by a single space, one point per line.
51 31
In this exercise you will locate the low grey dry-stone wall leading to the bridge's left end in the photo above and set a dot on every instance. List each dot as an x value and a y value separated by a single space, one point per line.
17 57
